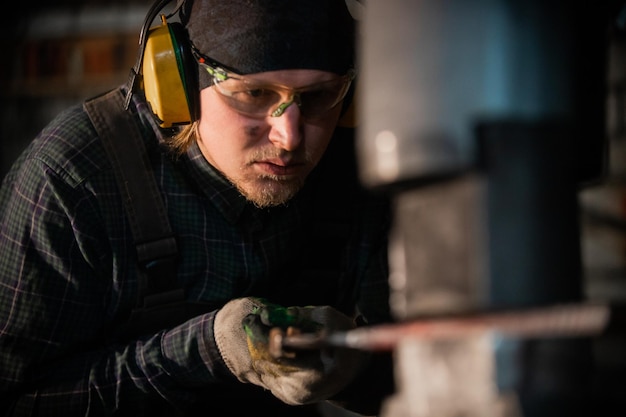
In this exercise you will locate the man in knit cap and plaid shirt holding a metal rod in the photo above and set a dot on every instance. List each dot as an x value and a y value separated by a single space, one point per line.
272 232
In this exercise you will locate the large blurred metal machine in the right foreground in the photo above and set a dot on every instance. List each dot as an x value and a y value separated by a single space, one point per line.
482 119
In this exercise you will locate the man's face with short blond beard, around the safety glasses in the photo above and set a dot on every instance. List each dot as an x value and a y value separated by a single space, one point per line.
267 158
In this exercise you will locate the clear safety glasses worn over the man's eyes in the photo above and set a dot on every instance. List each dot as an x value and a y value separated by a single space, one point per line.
259 99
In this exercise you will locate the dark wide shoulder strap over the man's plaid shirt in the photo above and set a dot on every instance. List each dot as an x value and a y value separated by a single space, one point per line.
155 243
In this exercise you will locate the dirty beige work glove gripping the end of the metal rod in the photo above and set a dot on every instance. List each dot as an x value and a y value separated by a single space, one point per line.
242 328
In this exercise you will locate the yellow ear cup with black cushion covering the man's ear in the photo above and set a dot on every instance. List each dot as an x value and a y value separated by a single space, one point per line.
170 79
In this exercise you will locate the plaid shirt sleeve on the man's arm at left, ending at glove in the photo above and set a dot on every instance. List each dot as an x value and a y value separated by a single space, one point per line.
56 300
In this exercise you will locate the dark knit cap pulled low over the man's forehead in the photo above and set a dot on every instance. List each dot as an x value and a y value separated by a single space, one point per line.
250 36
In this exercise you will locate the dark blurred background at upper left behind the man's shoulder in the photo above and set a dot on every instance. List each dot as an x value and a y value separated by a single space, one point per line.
59 53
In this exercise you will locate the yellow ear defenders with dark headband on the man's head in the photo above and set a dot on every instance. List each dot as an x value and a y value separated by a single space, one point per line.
166 70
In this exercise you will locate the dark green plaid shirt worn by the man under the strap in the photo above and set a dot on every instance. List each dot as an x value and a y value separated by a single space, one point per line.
68 271
